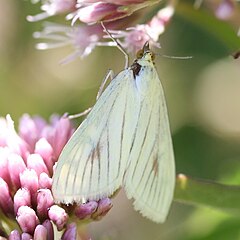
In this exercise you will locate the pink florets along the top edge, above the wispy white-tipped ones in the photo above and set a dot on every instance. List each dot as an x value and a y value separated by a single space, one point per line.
90 11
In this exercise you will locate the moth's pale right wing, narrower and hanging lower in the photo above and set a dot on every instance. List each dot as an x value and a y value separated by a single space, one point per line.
150 174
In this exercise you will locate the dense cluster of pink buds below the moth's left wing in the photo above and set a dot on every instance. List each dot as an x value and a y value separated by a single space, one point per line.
27 162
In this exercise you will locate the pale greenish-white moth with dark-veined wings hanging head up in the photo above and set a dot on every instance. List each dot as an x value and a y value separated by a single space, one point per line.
124 141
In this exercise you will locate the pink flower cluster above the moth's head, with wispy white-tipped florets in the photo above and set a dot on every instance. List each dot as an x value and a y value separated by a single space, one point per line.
115 14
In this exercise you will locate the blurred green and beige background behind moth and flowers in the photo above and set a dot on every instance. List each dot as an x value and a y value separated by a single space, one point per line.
203 98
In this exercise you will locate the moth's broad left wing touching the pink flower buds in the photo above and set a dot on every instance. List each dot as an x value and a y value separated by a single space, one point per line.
89 166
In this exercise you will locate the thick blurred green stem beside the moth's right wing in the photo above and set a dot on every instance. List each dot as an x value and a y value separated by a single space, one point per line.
207 193
